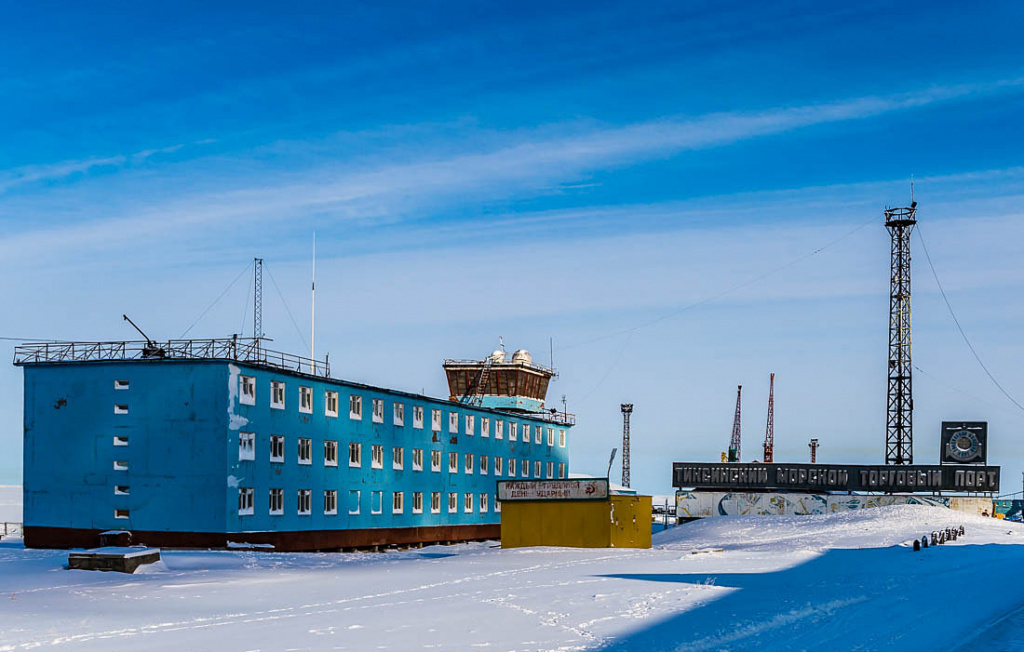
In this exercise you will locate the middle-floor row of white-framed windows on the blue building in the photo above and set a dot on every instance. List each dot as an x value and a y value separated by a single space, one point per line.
247 452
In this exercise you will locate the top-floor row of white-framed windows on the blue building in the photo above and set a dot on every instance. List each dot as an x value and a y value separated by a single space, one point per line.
248 398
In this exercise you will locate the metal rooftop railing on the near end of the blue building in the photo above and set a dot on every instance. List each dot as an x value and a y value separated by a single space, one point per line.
242 350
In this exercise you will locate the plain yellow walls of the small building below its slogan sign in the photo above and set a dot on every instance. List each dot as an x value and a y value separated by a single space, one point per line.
621 521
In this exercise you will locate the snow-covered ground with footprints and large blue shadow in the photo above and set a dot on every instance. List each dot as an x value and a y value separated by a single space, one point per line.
843 582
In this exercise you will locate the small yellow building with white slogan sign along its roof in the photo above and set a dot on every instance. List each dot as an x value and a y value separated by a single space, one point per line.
574 514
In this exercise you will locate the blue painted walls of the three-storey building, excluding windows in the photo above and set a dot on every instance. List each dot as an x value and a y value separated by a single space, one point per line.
184 423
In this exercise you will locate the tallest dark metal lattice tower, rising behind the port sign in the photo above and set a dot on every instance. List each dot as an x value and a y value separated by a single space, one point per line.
900 420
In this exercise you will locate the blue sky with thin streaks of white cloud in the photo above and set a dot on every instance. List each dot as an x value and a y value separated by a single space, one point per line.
583 173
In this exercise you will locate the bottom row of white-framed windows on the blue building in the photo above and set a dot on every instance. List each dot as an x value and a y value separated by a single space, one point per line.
276 502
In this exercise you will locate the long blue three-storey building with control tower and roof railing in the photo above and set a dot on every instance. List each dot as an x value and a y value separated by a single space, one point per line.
212 443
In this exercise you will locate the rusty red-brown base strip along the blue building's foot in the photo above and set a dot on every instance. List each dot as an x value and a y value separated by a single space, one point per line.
40 537
